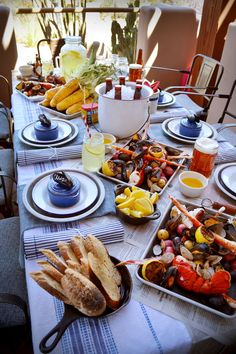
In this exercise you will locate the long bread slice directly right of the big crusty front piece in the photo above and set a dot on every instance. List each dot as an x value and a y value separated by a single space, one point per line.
107 283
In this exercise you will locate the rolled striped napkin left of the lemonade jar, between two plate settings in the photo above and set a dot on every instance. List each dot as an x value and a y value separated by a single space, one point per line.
29 157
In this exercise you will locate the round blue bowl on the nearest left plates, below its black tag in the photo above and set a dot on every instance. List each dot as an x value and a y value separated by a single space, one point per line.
62 196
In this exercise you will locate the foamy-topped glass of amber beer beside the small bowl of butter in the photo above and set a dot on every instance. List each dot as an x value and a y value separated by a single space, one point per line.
204 153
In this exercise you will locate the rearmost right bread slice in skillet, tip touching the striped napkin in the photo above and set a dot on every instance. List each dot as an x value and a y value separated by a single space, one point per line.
95 246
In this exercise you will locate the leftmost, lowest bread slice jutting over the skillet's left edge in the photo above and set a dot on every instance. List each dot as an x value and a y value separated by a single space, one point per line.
49 284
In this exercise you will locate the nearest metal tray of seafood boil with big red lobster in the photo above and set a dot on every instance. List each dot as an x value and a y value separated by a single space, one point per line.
193 257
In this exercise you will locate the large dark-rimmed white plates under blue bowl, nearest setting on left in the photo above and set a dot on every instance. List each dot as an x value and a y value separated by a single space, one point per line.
37 202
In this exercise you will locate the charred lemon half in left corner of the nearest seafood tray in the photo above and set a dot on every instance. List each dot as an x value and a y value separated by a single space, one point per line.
153 271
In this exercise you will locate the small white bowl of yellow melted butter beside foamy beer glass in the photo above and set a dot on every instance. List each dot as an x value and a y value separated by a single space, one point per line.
192 183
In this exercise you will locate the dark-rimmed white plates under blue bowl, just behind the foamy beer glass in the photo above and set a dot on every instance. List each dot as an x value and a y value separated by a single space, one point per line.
171 128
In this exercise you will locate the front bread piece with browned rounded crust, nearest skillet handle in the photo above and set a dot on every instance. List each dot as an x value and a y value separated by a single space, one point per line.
83 294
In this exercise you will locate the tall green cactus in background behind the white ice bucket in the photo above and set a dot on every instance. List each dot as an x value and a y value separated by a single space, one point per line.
124 40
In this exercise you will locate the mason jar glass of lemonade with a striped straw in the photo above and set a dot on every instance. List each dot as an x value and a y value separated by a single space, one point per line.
93 151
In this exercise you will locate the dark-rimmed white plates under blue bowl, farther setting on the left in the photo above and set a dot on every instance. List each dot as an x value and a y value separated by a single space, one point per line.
40 144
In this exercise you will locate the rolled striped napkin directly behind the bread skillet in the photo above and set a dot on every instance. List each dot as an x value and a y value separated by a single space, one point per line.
108 233
